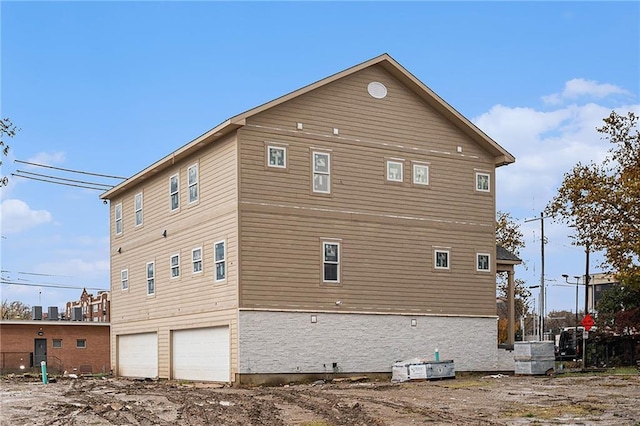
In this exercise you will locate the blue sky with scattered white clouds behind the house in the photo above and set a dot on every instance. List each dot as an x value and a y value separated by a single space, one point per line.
110 87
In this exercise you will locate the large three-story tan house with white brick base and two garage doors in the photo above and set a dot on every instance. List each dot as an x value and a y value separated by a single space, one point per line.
337 229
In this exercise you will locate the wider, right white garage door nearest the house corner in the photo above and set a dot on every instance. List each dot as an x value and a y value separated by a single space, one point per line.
201 354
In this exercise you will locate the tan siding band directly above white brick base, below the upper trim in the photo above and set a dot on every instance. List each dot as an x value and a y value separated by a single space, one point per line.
385 267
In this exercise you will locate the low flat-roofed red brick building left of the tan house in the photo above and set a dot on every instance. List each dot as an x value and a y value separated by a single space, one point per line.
75 347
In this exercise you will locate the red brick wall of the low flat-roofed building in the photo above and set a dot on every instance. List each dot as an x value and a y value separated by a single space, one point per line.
20 337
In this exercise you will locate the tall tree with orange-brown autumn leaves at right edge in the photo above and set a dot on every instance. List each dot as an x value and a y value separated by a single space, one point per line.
601 200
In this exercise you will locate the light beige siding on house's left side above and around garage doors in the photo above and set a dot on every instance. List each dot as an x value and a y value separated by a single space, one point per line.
192 300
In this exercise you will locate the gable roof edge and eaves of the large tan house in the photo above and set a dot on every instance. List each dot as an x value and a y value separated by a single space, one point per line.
501 156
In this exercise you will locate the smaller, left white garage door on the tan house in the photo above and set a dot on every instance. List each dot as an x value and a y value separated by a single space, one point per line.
138 355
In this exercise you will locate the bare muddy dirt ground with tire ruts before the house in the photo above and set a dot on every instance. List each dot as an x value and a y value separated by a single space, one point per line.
604 399
